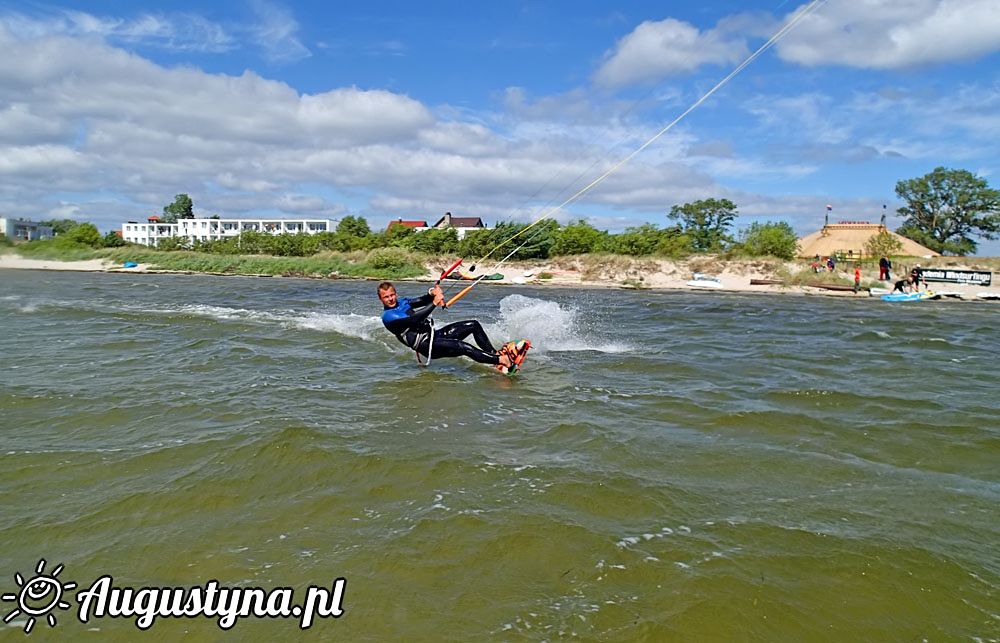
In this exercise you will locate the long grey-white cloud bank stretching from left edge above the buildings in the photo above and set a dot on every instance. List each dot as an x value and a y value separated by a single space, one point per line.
119 124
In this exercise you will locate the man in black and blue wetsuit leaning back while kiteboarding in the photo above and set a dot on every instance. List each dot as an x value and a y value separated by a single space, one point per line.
409 320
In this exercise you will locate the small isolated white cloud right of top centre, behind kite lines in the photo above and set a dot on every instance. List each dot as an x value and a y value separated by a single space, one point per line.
655 50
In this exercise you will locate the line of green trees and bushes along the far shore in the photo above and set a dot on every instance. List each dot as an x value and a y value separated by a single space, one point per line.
944 210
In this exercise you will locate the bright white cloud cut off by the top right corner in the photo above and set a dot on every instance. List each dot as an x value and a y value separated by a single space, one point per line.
892 34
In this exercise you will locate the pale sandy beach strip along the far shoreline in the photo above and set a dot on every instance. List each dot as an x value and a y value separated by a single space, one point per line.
641 274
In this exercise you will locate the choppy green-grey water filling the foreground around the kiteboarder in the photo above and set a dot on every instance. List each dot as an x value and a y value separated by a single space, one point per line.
669 466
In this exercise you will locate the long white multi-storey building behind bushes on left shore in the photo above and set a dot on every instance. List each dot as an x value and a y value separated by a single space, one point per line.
151 232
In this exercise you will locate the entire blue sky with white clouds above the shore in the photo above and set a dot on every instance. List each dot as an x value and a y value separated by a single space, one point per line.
399 109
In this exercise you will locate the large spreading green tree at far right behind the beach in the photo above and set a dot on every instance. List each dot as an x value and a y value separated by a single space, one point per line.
945 209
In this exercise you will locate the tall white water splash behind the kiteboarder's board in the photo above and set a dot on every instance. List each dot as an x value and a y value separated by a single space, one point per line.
549 326
